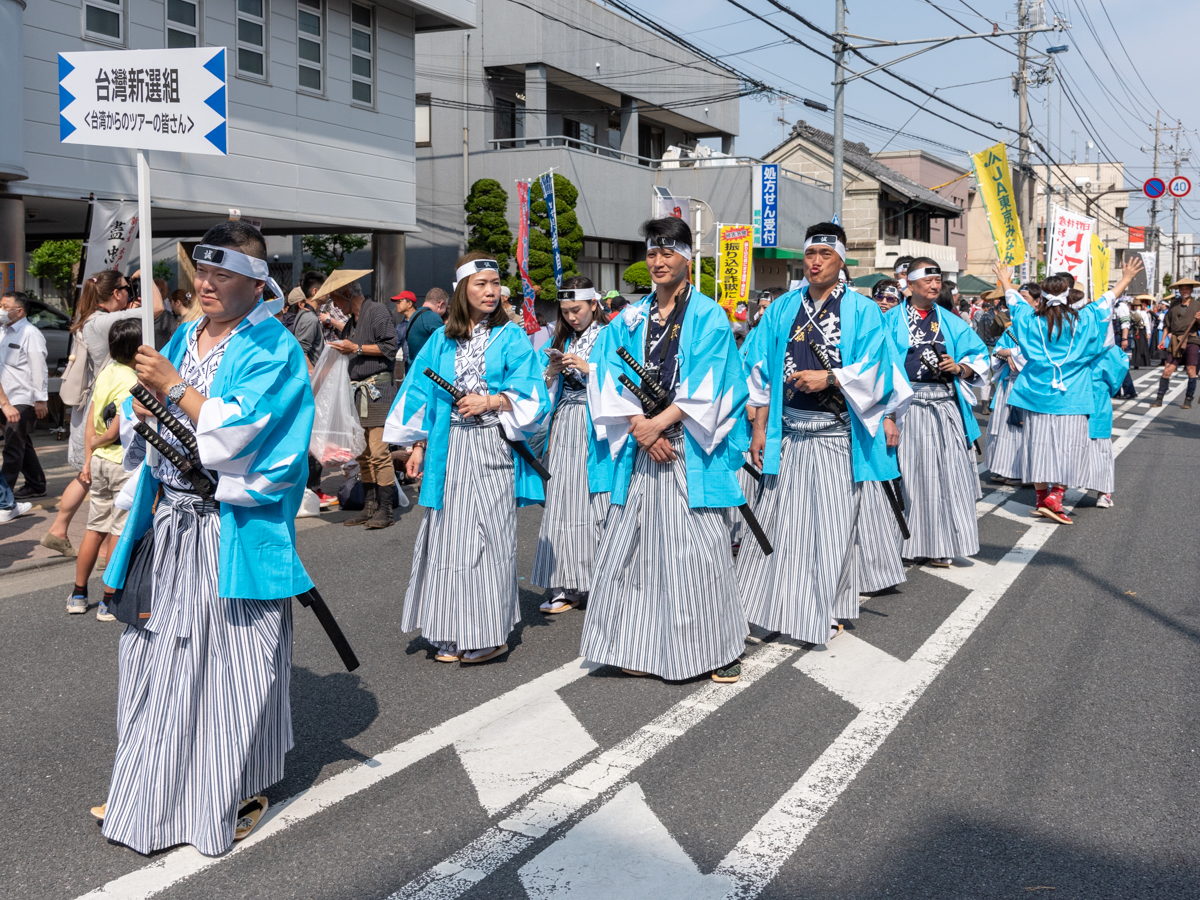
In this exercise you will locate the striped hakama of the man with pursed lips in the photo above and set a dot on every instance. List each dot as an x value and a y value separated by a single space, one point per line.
809 511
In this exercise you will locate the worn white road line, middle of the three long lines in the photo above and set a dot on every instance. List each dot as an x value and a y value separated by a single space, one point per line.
562 802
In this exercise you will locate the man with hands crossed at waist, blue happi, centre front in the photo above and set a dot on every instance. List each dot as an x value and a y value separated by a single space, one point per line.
664 598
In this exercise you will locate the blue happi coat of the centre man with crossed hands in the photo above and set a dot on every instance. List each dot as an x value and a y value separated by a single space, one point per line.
712 394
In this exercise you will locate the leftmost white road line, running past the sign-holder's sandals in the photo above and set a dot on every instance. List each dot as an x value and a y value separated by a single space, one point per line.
187 862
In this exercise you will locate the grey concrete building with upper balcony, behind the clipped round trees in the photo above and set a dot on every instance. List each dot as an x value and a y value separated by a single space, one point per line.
616 109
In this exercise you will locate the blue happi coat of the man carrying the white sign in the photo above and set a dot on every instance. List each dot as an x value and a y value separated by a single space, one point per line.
254 433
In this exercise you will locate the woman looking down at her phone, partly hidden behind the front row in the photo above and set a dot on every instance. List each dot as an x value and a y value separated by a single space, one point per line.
579 464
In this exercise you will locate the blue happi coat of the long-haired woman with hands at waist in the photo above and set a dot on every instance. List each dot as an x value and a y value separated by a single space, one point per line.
422 411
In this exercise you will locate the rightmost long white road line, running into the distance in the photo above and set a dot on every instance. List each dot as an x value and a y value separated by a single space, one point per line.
759 857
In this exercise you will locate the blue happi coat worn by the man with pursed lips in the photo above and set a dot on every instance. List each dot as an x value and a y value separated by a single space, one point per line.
866 379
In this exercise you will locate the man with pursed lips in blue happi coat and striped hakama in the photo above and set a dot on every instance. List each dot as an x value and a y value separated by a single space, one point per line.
818 437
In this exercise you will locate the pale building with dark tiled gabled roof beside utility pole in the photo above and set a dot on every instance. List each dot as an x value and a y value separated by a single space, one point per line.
887 214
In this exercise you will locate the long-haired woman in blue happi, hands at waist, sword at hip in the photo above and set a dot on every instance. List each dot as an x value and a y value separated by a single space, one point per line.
463 591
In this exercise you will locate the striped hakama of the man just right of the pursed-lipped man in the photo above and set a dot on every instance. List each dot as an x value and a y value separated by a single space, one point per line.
941 483
